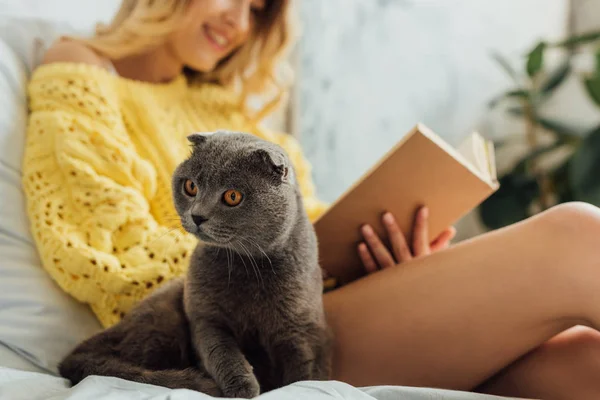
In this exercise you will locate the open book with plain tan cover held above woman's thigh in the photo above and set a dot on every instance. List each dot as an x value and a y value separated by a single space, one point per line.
422 169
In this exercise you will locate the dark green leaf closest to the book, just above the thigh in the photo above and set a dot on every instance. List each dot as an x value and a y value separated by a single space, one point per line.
510 203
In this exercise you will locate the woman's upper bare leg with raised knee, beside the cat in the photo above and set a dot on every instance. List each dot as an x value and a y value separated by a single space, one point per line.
458 317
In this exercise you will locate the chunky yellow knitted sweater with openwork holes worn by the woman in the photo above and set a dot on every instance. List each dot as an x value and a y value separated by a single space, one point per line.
97 170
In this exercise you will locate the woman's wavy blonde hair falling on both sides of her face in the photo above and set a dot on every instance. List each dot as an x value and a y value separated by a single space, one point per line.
257 66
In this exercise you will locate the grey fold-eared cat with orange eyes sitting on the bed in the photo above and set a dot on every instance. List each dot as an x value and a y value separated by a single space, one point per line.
248 317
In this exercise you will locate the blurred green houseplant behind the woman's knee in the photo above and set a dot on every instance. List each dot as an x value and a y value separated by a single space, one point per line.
531 186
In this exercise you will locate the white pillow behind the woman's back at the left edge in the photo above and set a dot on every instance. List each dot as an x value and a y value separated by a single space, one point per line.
38 320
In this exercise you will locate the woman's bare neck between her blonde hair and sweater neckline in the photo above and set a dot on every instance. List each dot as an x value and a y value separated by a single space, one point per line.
158 65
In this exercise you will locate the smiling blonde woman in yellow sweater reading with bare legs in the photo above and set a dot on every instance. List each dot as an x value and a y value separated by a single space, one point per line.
109 116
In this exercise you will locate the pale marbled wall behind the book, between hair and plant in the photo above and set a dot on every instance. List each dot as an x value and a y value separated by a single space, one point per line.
371 69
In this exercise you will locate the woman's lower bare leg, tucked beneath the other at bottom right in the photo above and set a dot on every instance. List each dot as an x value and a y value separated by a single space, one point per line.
565 367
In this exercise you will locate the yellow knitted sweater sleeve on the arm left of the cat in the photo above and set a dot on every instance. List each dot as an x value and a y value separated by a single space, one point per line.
88 197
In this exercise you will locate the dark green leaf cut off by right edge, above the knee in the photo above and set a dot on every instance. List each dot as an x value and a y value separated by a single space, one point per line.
584 167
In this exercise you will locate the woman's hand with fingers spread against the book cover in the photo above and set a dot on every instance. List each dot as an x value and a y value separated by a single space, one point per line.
375 255
